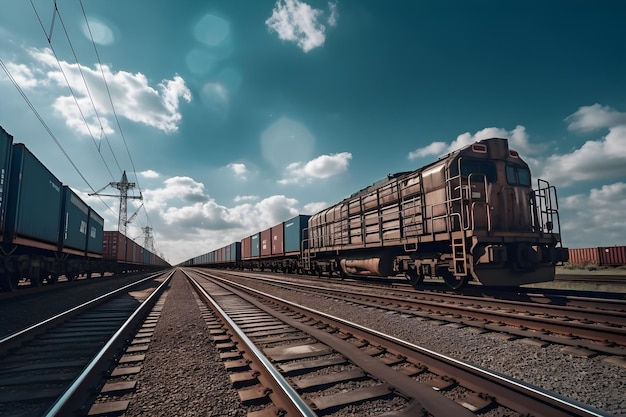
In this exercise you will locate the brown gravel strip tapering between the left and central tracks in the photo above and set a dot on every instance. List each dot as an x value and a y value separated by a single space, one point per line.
182 374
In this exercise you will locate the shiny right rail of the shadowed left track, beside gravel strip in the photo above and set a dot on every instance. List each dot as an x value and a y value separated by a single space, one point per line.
74 396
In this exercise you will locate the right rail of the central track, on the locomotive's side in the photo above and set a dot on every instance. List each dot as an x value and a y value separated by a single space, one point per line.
532 399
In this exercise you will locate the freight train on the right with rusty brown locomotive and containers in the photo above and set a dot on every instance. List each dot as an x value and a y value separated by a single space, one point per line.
471 215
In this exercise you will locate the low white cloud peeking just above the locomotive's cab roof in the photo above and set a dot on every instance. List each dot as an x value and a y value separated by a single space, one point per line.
518 140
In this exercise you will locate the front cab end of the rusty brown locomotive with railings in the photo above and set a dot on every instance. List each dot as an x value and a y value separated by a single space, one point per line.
504 232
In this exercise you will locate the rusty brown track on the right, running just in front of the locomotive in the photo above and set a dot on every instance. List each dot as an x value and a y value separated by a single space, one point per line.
588 327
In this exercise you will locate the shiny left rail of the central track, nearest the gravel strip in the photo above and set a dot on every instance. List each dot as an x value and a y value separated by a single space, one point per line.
291 394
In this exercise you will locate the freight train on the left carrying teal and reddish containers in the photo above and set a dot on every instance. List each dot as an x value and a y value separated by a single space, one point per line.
47 230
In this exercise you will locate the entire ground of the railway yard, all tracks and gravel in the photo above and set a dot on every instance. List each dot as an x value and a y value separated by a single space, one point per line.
232 343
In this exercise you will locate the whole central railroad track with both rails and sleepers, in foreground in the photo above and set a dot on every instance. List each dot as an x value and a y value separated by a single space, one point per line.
287 357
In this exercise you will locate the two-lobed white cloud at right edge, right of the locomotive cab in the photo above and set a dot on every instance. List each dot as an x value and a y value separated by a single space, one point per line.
596 159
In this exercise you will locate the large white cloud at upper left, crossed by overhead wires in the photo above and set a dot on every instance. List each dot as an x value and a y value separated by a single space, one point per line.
132 95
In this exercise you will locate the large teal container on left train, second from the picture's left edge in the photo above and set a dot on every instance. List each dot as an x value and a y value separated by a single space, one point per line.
34 204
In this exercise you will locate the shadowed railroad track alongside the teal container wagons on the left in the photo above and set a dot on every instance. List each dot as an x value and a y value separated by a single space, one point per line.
52 368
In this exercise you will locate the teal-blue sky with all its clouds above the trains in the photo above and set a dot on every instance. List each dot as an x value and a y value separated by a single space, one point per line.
232 116
